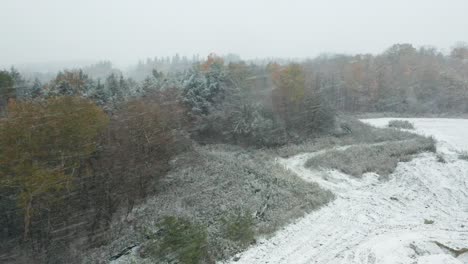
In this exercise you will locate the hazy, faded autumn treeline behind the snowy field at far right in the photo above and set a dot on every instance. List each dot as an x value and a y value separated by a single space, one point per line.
402 79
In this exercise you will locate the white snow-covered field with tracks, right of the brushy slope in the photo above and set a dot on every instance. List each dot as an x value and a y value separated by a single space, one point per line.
412 218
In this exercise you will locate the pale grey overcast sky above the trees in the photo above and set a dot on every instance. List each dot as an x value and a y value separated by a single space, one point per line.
124 31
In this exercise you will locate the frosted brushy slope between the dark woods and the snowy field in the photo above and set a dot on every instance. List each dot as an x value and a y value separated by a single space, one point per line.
227 194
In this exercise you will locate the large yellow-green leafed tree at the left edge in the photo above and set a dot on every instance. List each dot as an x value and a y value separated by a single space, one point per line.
43 143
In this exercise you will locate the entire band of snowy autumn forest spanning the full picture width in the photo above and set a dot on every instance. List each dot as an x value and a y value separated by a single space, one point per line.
91 143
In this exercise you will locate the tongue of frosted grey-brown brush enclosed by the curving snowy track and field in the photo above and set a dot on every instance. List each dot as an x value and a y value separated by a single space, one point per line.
381 158
